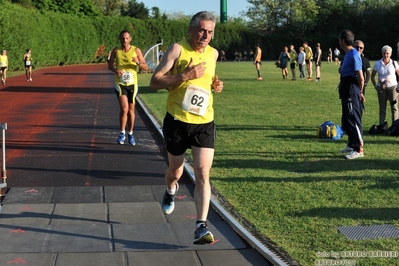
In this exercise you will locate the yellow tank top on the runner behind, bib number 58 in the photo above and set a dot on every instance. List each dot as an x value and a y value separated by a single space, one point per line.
128 67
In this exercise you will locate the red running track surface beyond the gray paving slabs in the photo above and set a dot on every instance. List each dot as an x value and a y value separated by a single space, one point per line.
62 131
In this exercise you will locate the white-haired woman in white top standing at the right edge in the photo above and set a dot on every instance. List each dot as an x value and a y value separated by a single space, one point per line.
386 86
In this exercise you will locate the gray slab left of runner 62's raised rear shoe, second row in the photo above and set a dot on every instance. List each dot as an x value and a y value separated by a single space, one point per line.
136 212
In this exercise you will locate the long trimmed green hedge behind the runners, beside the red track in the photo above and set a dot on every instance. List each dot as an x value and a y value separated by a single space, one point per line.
62 39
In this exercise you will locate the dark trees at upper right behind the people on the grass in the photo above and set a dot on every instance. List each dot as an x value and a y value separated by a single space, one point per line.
321 21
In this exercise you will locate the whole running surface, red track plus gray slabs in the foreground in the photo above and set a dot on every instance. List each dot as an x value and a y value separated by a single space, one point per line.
76 197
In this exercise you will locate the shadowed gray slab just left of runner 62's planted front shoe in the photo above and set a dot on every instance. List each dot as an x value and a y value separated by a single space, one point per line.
148 237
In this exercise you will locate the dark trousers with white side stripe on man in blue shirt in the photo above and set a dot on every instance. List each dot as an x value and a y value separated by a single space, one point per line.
352 118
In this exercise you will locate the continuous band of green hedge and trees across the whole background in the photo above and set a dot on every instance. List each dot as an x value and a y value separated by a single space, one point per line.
271 23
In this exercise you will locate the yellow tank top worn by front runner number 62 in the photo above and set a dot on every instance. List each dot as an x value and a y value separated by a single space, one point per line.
192 101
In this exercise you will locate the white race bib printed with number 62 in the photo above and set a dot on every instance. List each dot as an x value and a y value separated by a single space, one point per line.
195 100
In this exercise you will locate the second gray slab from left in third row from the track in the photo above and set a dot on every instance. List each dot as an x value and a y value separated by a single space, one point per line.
80 238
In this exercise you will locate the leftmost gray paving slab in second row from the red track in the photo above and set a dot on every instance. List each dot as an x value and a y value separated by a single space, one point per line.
26 214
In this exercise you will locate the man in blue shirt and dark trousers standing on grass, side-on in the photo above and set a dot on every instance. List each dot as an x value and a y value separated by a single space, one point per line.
351 95
